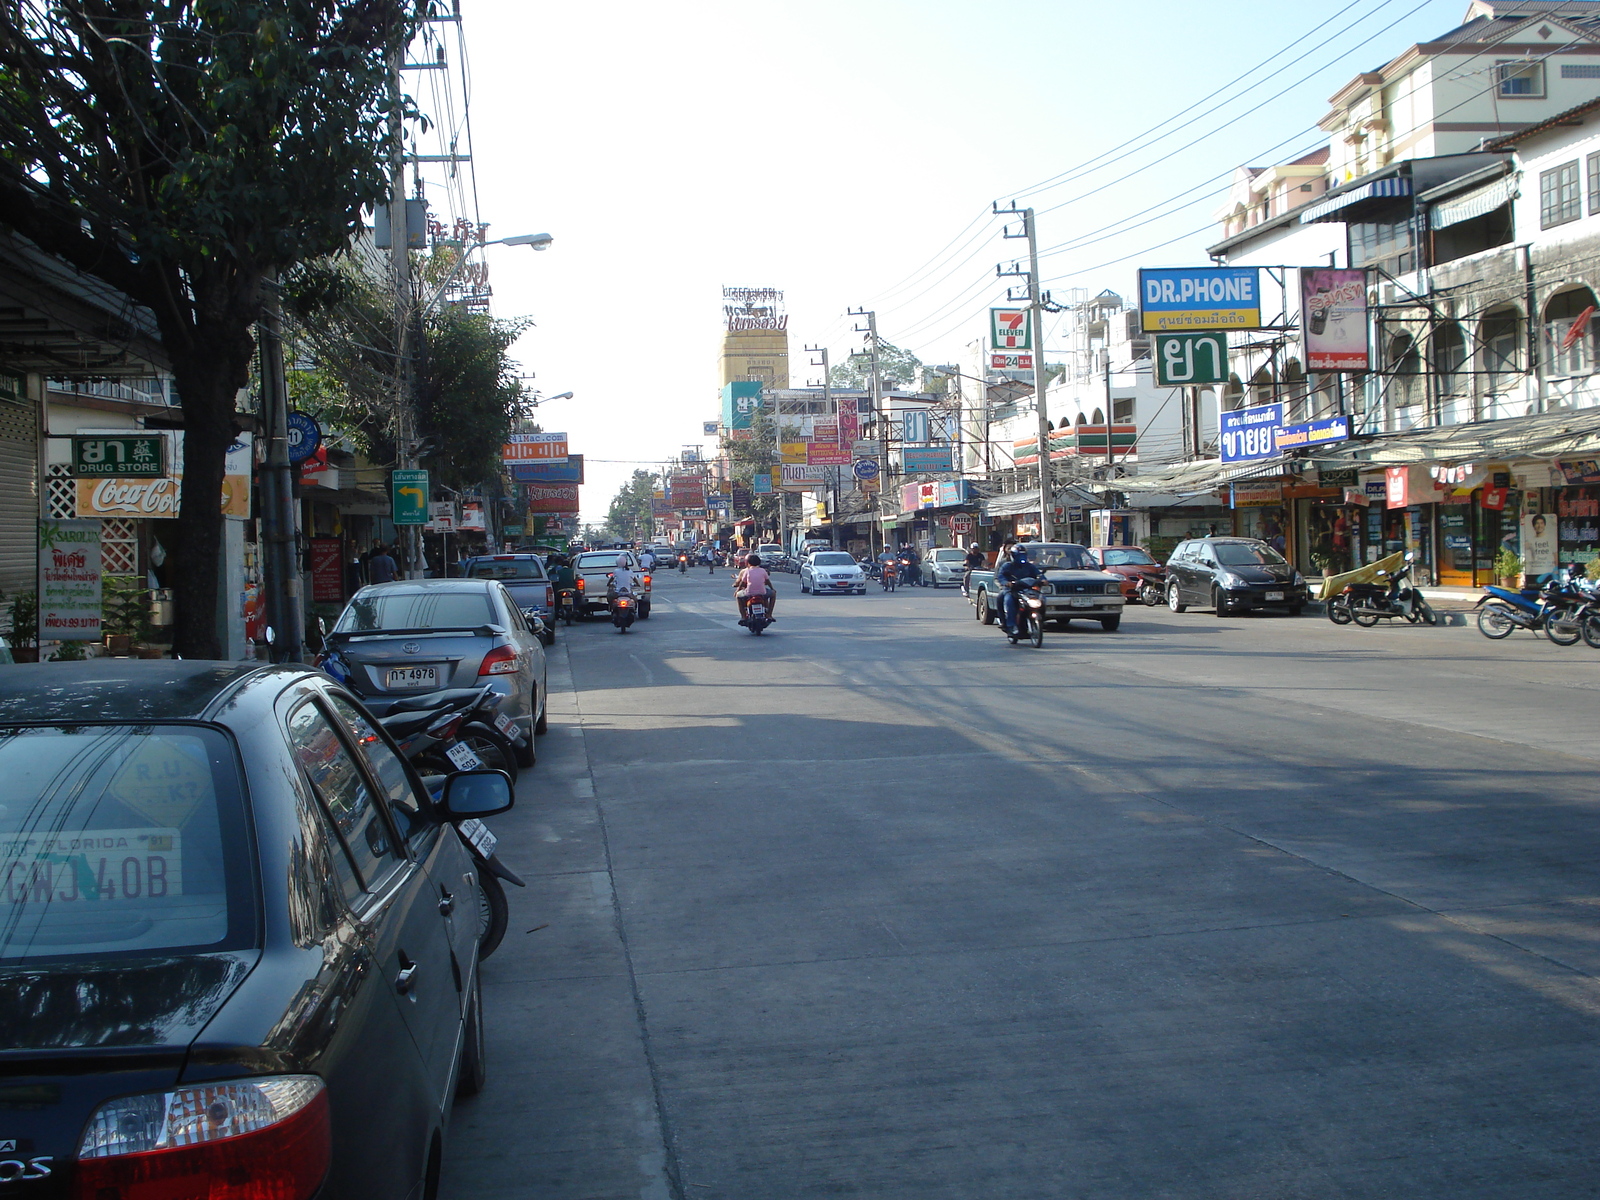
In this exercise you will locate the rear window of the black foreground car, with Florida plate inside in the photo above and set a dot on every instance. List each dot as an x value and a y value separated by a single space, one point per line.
121 839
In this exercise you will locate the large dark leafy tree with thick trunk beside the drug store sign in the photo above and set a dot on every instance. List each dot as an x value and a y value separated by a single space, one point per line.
186 153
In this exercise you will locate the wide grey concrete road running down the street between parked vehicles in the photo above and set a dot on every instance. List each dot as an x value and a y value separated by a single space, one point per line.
882 906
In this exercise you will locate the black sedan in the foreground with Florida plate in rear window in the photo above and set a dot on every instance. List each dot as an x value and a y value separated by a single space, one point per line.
241 938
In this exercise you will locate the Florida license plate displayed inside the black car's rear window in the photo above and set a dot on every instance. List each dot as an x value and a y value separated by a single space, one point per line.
95 866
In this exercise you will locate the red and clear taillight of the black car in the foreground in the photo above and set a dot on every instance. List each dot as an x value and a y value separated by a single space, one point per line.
247 1140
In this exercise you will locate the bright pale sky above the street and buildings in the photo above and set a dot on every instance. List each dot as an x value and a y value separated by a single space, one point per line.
849 154
